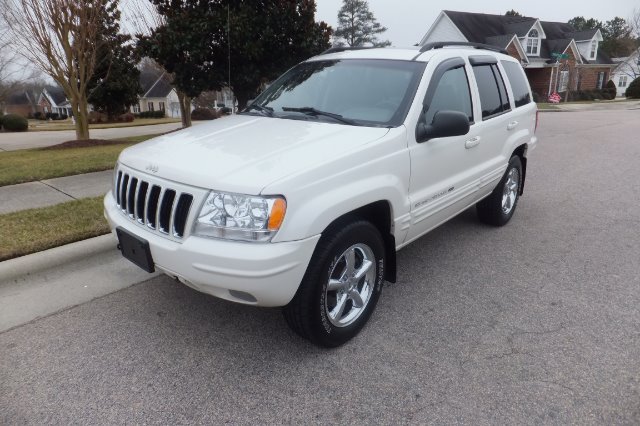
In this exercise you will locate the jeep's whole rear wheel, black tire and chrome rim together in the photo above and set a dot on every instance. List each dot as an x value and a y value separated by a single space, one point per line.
498 208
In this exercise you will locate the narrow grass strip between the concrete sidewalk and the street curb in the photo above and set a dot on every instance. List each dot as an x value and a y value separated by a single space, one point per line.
34 230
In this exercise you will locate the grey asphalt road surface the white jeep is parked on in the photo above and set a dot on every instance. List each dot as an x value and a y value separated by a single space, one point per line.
533 323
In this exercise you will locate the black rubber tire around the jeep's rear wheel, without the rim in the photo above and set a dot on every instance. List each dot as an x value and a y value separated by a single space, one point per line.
490 210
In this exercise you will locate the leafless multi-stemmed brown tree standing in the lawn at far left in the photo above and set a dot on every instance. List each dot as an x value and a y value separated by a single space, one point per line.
61 38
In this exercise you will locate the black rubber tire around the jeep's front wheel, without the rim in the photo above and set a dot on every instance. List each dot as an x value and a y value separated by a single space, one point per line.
308 313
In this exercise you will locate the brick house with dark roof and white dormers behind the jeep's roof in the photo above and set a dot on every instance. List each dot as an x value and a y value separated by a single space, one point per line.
555 56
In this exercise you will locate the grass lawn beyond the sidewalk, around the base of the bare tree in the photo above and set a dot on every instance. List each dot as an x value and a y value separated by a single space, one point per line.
36 164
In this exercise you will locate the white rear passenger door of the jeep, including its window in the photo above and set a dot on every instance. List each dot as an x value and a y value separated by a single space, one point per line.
494 122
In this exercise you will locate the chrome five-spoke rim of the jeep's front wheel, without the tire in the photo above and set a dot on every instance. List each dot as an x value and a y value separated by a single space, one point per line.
350 286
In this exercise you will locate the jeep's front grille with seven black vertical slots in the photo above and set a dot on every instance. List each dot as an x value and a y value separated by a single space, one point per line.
159 208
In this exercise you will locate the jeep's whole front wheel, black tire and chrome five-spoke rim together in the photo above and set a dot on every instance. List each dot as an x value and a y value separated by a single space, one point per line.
341 286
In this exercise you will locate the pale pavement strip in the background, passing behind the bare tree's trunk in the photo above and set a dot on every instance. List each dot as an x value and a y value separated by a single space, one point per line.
15 141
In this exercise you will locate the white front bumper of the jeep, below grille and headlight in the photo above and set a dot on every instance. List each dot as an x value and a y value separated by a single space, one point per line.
263 274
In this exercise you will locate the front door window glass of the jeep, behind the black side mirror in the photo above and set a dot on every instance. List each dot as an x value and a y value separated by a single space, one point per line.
452 94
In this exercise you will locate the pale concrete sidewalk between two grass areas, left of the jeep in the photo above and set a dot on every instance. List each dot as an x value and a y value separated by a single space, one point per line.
53 191
